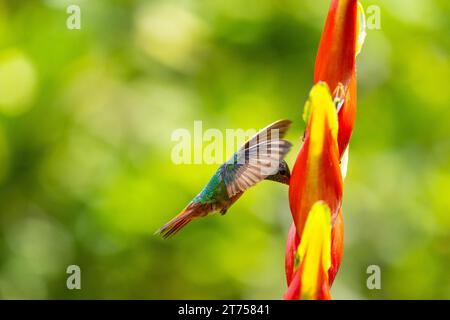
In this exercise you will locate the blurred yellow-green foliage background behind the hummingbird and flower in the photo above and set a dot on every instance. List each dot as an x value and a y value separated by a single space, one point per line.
86 118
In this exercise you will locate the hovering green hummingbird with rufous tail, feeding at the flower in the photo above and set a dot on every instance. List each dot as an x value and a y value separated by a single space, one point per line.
260 158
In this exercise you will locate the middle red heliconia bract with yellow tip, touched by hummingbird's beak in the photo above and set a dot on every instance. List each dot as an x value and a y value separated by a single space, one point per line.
316 175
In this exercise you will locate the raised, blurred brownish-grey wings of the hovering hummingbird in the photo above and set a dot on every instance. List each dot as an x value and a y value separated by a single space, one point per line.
257 159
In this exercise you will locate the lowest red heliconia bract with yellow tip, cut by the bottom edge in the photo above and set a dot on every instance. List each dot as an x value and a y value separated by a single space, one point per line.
313 257
